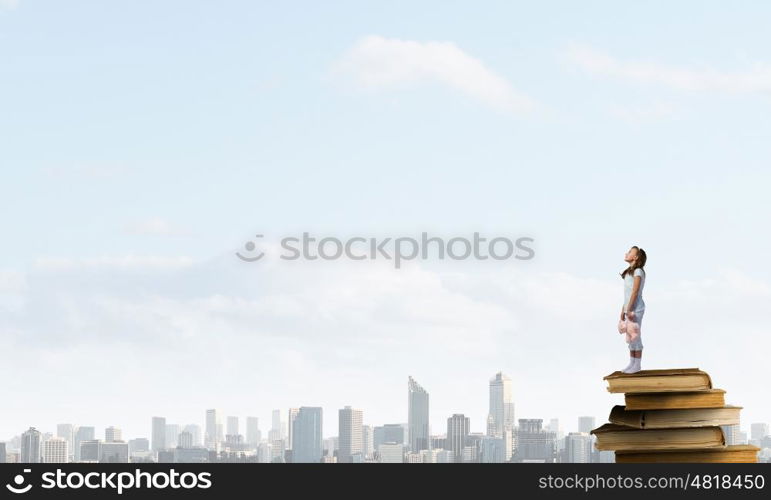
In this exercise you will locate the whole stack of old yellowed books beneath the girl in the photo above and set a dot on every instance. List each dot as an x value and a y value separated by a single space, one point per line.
670 416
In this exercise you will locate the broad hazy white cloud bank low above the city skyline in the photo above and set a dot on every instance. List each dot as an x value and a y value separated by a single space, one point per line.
207 333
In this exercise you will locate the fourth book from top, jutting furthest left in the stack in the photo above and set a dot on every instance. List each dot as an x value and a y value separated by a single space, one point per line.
622 437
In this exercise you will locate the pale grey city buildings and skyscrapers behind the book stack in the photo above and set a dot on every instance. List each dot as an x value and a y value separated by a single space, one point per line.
77 442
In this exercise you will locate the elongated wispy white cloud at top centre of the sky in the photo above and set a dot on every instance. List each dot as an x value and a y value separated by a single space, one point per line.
375 62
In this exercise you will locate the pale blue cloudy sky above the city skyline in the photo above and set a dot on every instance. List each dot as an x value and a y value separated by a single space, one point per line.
143 143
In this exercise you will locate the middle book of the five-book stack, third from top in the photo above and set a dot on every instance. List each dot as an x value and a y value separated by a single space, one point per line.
679 417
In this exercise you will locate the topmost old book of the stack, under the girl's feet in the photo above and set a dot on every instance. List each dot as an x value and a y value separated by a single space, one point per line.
674 379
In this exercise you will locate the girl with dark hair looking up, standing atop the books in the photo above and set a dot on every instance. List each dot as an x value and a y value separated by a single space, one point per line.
634 307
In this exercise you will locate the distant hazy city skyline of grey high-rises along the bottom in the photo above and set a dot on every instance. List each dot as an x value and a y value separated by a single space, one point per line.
295 436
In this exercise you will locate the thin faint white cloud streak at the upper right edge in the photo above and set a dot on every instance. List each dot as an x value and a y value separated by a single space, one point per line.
755 79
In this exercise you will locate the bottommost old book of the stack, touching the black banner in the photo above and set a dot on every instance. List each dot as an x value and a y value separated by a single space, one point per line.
739 453
